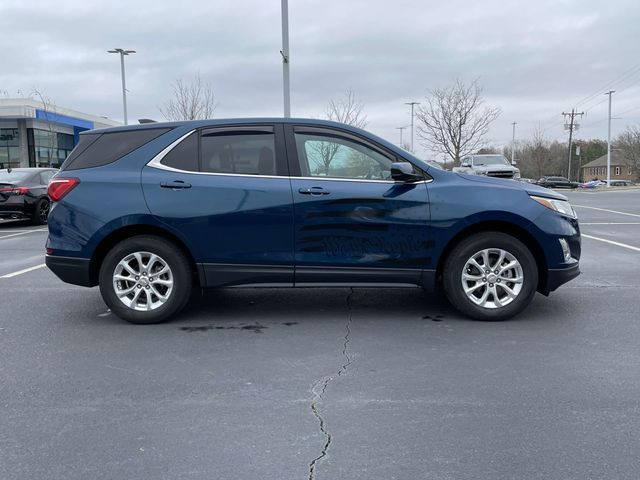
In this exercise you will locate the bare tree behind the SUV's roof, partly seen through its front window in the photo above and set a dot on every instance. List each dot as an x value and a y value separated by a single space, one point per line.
348 110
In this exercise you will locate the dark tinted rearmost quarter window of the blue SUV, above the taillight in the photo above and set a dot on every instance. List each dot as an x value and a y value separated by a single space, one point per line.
105 148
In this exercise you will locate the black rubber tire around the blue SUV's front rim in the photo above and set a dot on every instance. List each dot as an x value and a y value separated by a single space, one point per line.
467 249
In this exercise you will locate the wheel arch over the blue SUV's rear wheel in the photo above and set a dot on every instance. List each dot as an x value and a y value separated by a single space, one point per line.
113 238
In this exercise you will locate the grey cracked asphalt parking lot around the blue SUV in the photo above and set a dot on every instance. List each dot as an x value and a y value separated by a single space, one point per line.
326 383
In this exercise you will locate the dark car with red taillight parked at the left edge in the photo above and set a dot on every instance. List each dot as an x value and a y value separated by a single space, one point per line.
23 193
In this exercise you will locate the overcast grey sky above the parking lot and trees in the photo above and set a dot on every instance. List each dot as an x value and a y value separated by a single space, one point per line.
534 59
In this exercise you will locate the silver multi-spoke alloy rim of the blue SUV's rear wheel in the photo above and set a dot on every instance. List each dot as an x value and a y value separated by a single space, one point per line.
143 281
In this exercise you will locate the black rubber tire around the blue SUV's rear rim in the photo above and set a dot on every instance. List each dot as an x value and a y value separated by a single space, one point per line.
174 258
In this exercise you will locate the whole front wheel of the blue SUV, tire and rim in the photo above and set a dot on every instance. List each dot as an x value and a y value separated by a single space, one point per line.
490 276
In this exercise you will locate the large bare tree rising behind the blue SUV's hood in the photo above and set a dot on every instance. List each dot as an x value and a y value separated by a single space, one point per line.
454 120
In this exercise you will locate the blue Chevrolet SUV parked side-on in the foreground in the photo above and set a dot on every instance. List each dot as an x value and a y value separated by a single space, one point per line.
150 212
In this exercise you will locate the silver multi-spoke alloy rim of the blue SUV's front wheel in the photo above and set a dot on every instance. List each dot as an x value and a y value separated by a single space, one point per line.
492 278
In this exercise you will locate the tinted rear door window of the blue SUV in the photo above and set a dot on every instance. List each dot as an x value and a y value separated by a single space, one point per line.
242 153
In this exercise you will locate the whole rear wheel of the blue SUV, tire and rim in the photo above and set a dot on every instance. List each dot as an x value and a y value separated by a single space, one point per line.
145 279
